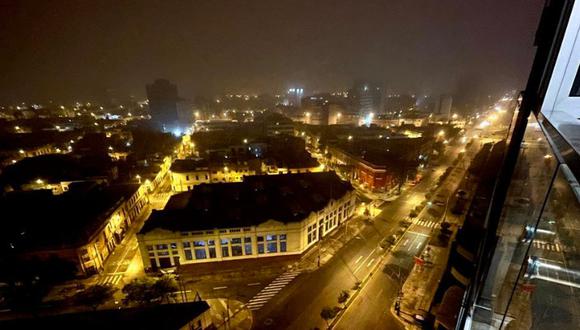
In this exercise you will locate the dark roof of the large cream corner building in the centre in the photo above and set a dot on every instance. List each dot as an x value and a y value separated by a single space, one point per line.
286 198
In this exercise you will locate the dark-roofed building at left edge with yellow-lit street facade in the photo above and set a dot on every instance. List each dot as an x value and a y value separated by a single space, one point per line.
81 226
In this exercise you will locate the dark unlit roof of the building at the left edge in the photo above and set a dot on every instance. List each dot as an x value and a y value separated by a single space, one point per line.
58 221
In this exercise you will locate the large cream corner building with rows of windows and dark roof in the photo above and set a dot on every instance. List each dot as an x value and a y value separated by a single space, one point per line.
263 216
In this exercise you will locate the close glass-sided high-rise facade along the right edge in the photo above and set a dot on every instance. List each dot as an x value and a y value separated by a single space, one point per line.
523 268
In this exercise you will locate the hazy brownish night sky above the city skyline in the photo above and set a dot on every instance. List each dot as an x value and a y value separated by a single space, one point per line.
75 50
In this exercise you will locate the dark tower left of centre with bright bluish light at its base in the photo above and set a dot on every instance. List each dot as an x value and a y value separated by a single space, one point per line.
163 100
